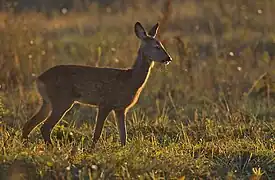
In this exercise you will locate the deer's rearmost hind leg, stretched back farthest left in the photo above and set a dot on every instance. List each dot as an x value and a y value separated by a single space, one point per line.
41 115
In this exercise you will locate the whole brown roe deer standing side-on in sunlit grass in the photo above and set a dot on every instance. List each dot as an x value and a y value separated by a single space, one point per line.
106 88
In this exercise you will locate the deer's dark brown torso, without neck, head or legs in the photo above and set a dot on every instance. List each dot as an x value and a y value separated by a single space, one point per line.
90 85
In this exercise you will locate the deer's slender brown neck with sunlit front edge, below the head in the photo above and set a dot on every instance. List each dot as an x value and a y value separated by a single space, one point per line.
141 70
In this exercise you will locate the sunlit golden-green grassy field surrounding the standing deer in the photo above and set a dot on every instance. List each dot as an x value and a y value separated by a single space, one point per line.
208 115
